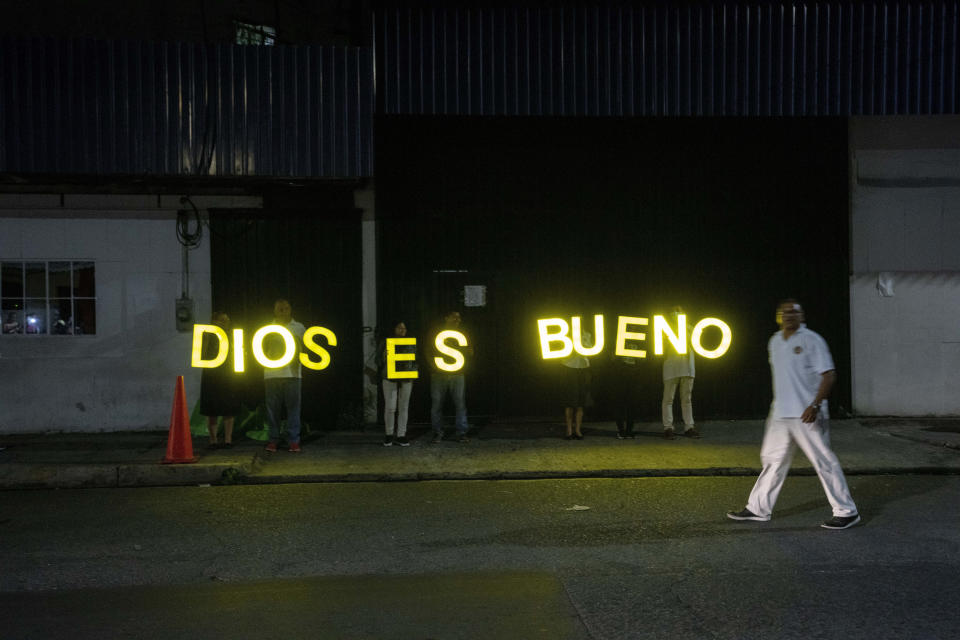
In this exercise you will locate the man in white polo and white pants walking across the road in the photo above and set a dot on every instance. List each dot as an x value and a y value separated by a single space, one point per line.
803 375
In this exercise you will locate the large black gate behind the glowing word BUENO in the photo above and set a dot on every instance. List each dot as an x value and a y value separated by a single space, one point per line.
617 216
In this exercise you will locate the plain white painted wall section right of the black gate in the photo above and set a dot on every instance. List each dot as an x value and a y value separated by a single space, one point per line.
905 227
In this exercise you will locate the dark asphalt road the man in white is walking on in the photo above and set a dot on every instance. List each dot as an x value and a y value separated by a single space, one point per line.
646 558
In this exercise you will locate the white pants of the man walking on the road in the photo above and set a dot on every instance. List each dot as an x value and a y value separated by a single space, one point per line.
780 439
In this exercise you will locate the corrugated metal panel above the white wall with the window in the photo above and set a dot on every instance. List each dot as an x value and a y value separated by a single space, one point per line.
97 107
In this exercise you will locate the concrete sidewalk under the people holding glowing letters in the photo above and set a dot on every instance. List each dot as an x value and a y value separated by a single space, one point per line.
497 450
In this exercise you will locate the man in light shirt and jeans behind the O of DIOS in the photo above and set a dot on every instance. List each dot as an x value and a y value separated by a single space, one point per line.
282 384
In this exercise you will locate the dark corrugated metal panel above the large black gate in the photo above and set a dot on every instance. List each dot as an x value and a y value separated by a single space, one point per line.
731 58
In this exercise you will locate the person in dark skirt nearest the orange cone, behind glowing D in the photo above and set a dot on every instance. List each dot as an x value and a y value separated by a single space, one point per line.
218 394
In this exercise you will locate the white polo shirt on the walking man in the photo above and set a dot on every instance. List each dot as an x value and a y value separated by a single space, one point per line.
797 365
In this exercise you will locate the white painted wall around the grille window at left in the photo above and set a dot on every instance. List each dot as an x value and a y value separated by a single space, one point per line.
123 377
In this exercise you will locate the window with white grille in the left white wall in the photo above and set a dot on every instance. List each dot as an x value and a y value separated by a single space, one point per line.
48 298
